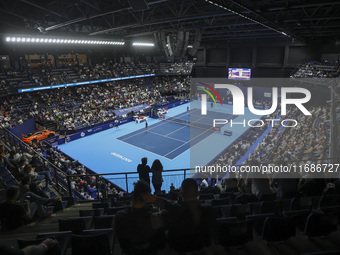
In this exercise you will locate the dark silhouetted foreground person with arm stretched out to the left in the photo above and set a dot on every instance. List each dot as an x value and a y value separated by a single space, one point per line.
191 223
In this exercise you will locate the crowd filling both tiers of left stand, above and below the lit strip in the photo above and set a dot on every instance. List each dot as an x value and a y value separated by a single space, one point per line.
83 106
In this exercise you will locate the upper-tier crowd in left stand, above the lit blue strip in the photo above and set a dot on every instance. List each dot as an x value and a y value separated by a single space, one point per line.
25 76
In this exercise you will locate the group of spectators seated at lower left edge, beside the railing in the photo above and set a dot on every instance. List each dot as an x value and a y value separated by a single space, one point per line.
30 199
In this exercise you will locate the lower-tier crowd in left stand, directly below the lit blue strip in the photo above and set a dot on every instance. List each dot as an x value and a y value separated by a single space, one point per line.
76 107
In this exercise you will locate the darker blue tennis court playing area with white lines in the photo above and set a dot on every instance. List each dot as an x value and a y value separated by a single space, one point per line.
174 135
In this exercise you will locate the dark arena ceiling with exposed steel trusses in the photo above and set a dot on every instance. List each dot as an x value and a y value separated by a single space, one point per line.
217 20
